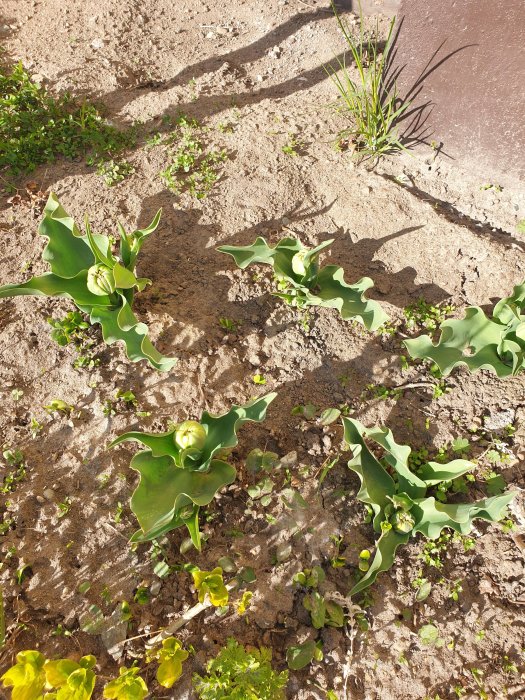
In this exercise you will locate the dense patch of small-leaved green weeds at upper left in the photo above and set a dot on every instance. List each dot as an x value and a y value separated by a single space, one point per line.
37 127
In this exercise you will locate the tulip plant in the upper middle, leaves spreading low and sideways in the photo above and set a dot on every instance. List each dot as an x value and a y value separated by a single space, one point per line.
302 283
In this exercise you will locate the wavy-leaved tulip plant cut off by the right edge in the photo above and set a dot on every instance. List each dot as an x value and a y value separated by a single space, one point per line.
496 343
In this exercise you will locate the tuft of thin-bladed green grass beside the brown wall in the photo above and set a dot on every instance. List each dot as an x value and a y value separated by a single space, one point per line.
371 100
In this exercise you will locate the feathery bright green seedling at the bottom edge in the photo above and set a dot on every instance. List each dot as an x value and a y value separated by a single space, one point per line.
238 673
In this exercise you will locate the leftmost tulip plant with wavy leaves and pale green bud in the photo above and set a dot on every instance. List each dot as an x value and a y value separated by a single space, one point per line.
100 283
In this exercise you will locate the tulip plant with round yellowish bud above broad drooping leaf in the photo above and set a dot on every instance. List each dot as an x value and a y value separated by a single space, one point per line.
180 471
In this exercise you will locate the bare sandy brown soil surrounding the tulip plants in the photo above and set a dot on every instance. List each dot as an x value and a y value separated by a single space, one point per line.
433 233
